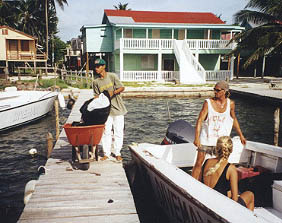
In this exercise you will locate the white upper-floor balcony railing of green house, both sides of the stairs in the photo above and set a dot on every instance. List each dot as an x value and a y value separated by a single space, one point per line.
132 44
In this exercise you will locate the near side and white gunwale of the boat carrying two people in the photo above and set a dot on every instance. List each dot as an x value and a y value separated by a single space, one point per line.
183 198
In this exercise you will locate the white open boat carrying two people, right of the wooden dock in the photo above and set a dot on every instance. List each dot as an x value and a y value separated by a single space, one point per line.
185 199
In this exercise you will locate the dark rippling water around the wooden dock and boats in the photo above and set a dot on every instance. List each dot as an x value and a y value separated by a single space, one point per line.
146 121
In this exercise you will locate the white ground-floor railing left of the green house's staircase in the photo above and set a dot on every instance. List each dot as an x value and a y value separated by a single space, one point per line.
150 76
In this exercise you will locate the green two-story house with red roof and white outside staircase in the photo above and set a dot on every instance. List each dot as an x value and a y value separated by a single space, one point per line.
161 46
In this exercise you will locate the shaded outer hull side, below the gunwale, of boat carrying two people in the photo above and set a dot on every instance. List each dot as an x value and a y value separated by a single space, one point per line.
178 205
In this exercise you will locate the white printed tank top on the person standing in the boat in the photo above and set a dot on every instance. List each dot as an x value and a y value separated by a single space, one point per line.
216 124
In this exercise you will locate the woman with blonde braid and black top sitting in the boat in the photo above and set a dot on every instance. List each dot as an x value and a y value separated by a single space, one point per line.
222 176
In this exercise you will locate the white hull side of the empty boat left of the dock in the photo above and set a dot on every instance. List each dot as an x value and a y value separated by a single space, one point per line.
24 113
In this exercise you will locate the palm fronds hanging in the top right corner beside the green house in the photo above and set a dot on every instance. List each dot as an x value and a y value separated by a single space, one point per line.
266 38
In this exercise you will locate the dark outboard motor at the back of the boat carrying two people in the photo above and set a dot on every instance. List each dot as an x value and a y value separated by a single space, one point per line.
178 132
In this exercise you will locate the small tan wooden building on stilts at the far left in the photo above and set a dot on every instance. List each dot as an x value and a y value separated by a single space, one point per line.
18 49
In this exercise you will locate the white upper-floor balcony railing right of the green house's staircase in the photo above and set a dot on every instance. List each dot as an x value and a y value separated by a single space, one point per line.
208 44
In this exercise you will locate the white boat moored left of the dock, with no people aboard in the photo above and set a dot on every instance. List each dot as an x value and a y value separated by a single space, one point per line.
21 107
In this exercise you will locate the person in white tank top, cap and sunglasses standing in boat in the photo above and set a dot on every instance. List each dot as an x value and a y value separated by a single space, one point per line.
216 119
